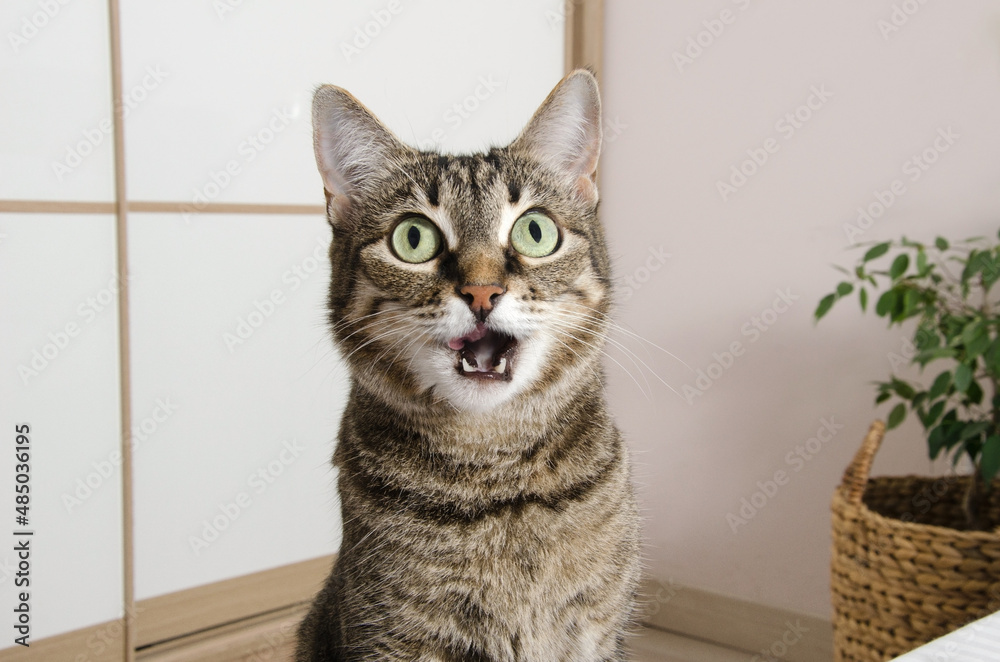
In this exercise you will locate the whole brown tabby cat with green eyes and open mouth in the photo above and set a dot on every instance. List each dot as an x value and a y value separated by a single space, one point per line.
488 510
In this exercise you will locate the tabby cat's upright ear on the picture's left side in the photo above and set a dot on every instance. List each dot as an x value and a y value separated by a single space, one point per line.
352 146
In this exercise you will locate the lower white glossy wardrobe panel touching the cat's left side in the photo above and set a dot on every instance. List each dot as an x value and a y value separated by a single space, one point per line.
237 395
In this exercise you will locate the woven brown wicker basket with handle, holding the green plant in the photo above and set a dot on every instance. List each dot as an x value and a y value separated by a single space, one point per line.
903 572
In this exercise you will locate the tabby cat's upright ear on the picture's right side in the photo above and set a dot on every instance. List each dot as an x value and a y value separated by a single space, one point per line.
565 132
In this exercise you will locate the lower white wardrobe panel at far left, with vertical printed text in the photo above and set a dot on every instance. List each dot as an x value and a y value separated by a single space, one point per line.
54 272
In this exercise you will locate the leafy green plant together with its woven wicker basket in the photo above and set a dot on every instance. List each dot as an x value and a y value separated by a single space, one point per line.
917 557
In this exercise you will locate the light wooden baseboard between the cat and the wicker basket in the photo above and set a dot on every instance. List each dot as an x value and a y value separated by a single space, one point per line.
767 632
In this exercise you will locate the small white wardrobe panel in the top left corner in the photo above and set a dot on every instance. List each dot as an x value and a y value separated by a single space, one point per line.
56 110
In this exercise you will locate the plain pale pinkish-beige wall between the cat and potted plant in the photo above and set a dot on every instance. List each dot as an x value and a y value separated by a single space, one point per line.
713 263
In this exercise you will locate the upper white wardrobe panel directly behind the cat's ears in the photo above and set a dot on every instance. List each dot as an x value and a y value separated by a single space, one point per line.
250 72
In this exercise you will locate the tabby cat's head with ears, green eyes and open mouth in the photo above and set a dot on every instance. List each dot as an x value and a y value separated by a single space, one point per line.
471 280
